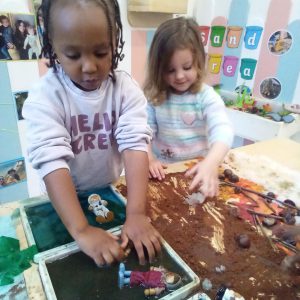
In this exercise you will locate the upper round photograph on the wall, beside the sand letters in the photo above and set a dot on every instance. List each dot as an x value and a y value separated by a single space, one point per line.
280 42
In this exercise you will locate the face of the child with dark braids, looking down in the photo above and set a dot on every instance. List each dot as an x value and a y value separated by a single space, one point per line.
80 37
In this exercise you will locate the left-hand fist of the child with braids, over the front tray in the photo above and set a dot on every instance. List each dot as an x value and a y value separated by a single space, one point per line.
101 246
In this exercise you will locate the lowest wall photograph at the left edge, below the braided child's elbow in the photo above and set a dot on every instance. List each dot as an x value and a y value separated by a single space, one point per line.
12 172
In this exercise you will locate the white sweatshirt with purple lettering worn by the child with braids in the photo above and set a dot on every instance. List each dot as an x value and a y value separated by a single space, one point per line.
85 131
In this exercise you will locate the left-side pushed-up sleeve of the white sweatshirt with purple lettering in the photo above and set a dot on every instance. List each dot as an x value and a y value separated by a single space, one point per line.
48 139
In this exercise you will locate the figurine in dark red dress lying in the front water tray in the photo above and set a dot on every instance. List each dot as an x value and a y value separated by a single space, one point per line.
155 281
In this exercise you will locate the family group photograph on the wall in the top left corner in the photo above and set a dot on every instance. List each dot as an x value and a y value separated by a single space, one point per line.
18 37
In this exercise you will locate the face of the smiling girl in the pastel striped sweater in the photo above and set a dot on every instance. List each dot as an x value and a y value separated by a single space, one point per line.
181 72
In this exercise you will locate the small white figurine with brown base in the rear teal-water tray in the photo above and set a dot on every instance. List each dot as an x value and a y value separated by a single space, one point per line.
98 206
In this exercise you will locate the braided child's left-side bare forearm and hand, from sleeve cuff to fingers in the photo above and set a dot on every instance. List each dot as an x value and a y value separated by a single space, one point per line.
101 246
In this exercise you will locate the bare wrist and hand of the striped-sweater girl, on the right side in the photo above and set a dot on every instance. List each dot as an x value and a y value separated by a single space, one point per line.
205 172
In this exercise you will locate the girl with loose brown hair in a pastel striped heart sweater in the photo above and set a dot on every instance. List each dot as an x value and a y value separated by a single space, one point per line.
188 117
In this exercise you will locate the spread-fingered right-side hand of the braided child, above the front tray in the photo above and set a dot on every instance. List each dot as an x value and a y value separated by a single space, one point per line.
139 230
